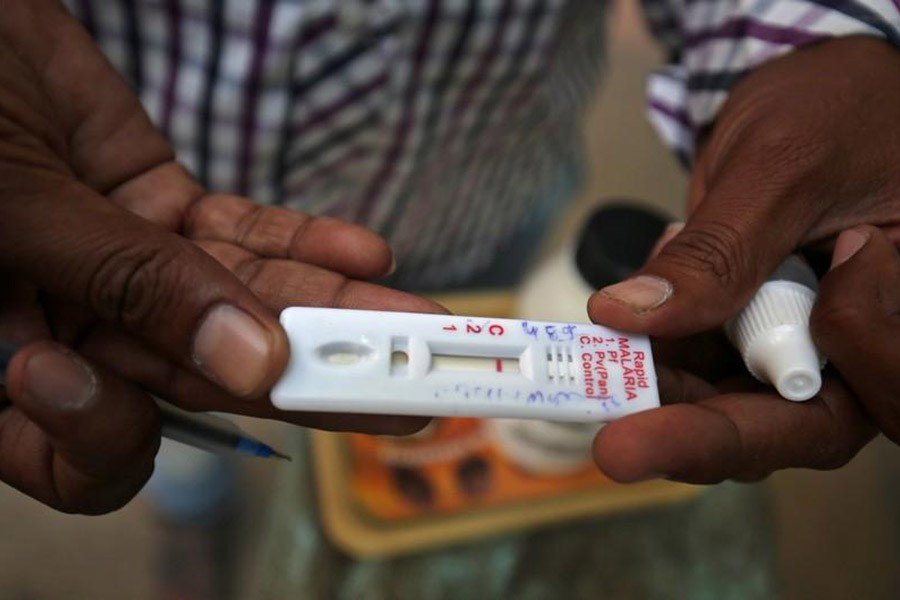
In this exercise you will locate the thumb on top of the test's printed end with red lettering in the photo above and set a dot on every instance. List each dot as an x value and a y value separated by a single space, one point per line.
702 276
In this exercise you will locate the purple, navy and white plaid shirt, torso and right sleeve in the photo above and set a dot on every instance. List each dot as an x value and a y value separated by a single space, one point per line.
444 124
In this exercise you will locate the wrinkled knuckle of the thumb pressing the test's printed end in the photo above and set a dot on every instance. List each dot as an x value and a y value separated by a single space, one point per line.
716 250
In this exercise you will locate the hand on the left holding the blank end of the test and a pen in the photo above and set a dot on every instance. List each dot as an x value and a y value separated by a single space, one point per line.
122 277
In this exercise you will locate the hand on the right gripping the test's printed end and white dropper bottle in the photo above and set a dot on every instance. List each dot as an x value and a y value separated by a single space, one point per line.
804 149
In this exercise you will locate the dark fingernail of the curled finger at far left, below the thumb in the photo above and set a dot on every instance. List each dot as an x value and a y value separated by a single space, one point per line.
58 380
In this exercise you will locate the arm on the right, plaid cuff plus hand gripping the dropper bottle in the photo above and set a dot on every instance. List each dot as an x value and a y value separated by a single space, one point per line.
800 145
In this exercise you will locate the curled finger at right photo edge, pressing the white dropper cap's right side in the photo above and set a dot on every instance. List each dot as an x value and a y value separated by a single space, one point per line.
856 322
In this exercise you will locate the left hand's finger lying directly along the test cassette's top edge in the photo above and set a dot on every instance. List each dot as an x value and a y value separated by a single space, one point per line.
283 283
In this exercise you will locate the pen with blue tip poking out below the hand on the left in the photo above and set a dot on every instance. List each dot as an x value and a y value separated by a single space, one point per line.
199 430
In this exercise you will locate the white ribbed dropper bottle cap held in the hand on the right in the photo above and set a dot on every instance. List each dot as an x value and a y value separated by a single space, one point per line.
772 335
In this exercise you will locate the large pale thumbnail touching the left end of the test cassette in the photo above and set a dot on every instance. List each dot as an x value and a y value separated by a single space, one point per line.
234 349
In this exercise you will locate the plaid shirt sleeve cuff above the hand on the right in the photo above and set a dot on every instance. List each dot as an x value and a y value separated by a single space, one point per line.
712 44
